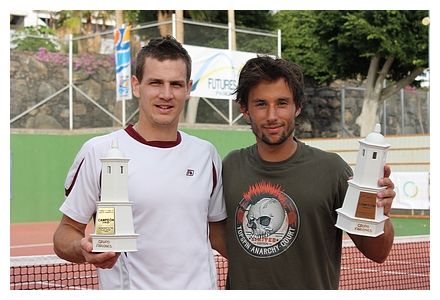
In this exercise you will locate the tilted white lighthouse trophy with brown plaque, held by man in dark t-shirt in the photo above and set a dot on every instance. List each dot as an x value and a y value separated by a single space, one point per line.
359 213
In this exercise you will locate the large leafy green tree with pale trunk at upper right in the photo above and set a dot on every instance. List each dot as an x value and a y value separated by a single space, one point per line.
372 45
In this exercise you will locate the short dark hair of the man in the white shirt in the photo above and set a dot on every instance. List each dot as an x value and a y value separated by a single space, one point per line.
162 49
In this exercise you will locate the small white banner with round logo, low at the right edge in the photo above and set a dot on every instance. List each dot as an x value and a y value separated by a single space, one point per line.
412 190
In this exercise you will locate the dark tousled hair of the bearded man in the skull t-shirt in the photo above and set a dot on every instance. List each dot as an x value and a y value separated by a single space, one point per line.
266 68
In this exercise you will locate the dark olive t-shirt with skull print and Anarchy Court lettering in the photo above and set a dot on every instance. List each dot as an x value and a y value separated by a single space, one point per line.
281 230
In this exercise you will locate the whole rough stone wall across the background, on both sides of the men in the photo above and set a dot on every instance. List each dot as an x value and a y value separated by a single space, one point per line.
37 76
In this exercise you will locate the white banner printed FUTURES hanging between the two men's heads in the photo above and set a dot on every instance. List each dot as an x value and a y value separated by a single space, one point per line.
215 71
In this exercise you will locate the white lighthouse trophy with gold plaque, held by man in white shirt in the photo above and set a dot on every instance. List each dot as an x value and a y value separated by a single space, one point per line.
114 229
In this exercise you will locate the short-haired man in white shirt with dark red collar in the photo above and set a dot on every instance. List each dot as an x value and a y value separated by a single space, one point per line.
174 182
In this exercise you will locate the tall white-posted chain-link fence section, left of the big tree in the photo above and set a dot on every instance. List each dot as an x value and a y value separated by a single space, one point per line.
73 85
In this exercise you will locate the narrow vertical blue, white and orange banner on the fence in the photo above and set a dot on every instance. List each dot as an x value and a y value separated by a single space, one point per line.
123 63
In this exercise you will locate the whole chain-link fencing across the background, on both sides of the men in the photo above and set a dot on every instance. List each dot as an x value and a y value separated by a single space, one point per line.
72 86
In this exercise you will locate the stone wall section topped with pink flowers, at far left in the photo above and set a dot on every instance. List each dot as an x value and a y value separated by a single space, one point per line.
37 76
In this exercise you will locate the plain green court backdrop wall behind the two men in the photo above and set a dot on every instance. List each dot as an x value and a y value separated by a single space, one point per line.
39 164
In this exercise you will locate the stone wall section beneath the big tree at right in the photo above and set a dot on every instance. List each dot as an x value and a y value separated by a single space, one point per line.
321 114
